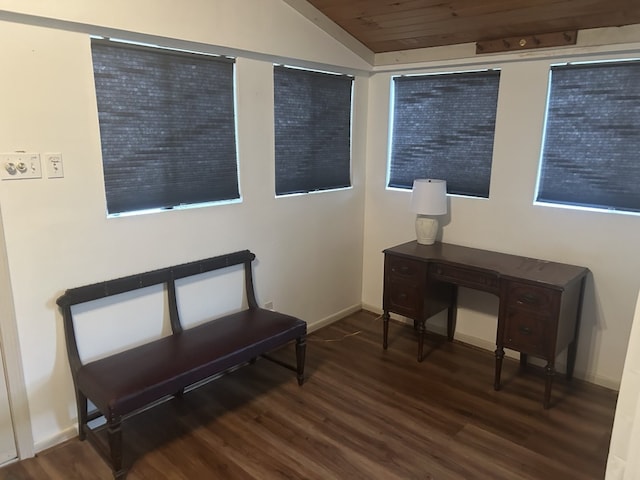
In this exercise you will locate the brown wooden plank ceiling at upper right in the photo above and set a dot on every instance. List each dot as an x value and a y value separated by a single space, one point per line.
390 25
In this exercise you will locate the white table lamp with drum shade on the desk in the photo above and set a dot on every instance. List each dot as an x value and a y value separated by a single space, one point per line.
428 199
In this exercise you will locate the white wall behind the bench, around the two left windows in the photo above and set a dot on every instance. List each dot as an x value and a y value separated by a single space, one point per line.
57 234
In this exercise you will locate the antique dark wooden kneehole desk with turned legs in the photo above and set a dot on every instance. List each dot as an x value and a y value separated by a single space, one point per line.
540 301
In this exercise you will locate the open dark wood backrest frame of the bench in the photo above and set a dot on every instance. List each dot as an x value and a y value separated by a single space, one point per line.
167 276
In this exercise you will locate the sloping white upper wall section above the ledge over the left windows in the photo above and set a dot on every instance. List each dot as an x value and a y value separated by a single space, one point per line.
267 27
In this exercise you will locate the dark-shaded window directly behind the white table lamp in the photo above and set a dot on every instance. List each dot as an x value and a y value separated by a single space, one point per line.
443 127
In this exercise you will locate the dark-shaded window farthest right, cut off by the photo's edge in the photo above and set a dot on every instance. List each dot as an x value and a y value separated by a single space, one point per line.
591 139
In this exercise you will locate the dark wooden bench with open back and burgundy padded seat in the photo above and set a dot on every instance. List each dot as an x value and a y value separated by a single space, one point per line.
121 384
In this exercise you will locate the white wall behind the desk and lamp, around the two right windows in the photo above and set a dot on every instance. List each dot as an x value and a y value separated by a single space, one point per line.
508 221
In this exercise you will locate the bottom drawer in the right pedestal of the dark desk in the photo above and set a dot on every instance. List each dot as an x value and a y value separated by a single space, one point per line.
528 333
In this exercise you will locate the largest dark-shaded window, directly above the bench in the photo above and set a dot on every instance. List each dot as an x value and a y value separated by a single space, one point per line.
167 126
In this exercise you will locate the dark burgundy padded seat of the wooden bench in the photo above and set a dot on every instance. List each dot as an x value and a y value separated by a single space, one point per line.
124 382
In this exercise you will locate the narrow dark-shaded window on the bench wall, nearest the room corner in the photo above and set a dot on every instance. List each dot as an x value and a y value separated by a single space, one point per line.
312 130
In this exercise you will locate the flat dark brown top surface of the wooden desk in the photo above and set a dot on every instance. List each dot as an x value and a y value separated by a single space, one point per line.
503 264
